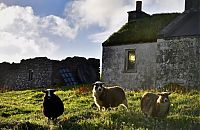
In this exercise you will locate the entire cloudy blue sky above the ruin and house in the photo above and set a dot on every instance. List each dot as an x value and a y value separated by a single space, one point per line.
65 28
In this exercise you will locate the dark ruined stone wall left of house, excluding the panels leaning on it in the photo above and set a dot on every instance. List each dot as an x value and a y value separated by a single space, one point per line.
45 72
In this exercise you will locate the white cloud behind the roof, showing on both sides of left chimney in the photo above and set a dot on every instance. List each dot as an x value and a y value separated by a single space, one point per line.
111 15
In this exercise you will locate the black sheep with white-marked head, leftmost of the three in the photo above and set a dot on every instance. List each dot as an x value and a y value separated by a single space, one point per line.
52 105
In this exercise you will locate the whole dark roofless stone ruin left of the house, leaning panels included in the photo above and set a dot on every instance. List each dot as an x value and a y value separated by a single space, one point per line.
43 72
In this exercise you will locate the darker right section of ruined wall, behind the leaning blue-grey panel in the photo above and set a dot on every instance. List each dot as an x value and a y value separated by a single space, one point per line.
90 68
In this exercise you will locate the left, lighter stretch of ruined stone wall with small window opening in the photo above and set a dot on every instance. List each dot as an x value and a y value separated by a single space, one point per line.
17 75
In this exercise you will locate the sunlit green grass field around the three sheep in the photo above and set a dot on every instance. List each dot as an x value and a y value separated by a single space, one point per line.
21 110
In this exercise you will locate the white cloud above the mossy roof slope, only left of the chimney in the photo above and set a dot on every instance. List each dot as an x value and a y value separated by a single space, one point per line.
107 14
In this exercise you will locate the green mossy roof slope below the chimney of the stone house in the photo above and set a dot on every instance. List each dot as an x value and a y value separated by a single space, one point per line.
140 30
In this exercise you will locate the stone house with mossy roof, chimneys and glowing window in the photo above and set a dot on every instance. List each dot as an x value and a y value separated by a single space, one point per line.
154 50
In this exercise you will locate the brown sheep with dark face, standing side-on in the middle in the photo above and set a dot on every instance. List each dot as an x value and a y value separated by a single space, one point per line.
105 97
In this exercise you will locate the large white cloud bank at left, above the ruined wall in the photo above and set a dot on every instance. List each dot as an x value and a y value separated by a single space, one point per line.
24 35
